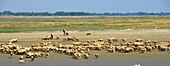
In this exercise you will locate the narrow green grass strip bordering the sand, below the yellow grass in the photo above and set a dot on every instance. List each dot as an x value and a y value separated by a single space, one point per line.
78 28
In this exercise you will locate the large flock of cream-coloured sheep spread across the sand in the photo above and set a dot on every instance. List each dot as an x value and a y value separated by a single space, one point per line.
79 49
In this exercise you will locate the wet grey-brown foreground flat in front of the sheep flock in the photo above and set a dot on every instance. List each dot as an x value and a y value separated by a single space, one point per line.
105 59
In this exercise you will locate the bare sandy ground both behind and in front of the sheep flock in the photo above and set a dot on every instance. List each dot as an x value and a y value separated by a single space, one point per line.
154 58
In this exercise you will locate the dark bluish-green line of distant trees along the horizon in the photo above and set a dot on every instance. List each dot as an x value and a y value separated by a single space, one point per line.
62 13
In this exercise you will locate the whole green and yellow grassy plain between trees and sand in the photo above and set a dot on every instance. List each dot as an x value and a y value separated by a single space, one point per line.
29 24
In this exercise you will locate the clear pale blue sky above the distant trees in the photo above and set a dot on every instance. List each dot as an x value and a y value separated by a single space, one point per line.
98 6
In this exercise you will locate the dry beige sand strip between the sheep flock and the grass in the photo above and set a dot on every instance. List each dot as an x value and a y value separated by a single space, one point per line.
130 35
